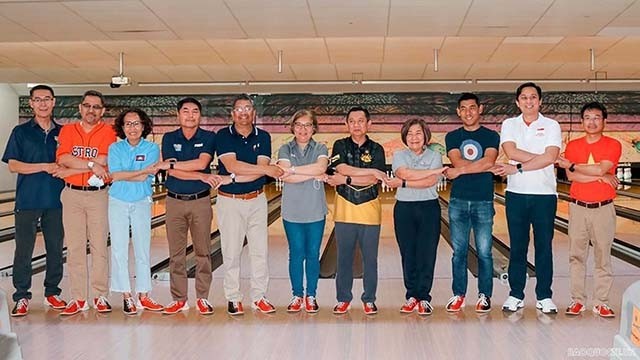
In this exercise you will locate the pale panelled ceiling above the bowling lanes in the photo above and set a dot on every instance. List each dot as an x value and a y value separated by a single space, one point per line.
169 41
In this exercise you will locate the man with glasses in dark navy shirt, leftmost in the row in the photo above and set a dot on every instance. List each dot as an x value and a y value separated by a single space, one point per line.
31 153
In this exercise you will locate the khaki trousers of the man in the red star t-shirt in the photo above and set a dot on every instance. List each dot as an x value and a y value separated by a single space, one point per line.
598 226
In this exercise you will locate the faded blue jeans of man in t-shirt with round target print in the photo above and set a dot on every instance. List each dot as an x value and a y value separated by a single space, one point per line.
463 216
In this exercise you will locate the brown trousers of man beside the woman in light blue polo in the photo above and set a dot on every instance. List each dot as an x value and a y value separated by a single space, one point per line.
192 216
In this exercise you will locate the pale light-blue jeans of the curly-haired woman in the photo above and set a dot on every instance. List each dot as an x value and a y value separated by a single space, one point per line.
138 215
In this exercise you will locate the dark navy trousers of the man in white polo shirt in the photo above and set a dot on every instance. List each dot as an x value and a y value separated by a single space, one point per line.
523 212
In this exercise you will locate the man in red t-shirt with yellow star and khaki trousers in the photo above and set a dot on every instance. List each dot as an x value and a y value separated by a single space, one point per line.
591 162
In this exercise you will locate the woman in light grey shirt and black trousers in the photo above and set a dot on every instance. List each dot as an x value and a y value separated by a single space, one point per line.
416 215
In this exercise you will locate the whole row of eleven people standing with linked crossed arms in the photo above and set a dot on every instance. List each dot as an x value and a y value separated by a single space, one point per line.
64 175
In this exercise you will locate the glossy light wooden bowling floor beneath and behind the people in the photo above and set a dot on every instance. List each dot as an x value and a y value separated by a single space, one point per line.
526 334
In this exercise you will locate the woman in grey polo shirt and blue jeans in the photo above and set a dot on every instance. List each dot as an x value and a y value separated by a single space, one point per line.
304 207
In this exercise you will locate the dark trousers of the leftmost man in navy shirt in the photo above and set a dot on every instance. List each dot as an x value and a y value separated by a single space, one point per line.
26 222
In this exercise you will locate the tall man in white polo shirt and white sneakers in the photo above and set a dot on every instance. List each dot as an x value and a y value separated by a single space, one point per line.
532 143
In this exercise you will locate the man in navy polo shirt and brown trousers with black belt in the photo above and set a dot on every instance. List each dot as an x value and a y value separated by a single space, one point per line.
187 154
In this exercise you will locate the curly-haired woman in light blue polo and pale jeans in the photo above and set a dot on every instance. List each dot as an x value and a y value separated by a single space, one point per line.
131 163
